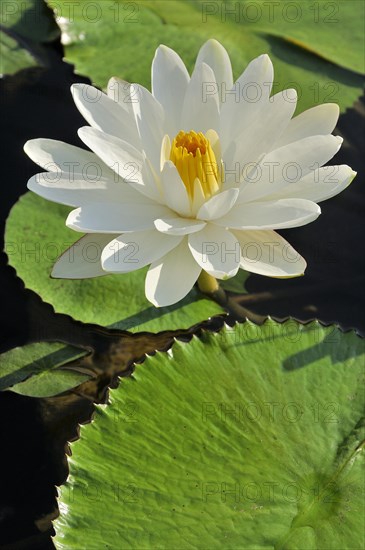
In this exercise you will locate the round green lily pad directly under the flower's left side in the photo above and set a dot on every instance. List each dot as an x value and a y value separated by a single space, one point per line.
36 236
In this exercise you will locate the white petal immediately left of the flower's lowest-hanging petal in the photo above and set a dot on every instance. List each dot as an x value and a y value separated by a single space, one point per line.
132 251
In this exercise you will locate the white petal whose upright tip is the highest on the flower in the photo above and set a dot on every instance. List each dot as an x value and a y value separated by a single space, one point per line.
215 55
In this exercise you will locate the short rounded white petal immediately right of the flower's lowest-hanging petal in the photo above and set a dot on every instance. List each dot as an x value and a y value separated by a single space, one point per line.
216 250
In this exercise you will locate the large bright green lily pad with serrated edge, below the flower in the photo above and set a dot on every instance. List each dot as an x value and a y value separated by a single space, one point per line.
250 438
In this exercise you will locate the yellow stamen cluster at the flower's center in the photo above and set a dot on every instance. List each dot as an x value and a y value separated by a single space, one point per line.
196 163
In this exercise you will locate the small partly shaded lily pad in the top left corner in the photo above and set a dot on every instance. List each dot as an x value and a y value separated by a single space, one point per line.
25 26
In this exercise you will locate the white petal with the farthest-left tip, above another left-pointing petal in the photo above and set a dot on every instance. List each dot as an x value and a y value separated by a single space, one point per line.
57 156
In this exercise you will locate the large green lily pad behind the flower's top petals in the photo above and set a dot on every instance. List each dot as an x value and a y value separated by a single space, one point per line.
119 38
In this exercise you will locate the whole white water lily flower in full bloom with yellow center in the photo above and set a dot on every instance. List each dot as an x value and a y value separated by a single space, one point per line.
196 175
